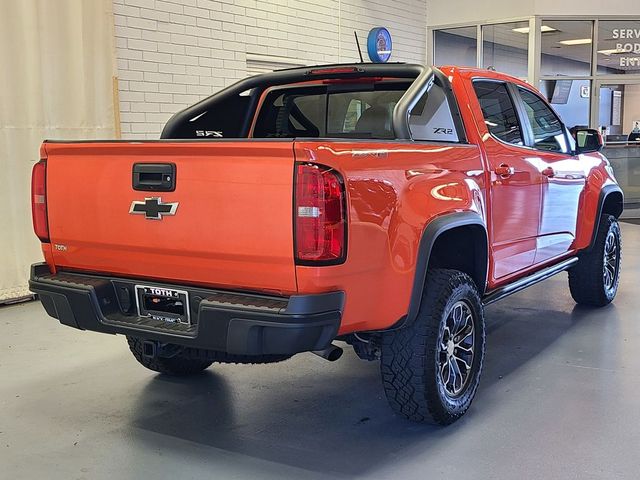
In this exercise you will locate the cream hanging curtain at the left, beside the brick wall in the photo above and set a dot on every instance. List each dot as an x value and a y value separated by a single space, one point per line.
57 65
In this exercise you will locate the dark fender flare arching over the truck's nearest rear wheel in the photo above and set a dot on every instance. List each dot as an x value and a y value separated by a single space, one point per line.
432 231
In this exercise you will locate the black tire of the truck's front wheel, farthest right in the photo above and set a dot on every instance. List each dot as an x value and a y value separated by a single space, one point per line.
587 279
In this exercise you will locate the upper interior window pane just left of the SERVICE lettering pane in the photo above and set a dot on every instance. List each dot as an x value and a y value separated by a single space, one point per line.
566 48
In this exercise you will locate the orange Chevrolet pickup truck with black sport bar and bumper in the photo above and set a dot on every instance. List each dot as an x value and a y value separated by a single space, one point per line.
379 205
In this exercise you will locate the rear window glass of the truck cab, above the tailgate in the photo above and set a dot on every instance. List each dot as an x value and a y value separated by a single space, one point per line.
354 111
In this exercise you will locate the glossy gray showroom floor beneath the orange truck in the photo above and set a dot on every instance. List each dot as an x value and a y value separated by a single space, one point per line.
560 399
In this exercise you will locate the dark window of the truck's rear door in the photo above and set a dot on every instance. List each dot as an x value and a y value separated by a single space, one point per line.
499 111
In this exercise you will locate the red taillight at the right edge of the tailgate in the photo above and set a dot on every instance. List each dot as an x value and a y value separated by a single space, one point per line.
320 217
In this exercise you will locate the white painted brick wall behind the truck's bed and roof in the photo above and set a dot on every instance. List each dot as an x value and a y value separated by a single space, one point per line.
172 53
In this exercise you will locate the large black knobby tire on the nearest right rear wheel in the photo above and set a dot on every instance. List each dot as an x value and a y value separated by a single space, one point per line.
411 355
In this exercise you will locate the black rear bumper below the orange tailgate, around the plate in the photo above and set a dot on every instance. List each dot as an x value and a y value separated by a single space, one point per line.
232 322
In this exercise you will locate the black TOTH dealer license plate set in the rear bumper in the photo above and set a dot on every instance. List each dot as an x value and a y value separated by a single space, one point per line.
163 304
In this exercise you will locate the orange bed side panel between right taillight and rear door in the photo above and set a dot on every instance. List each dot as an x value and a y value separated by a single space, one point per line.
394 189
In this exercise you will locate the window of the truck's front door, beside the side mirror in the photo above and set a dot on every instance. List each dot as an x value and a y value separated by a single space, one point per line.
548 132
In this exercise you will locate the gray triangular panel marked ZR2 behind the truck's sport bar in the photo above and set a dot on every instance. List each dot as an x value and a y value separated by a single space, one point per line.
431 118
